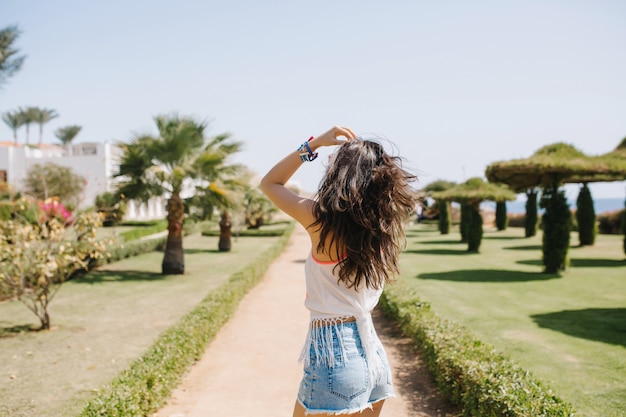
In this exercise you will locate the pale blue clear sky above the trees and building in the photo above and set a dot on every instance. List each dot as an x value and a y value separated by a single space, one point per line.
455 85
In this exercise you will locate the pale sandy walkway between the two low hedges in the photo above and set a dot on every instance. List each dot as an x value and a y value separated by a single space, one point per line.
251 367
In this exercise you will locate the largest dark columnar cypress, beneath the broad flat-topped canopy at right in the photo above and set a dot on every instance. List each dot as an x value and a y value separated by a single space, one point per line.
557 223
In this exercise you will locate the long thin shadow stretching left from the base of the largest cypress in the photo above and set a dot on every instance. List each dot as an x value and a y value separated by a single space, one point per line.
488 275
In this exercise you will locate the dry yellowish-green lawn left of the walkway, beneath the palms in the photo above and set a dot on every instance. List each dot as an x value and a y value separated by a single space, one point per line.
102 322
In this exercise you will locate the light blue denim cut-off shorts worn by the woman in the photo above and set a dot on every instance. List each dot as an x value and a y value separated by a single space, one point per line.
346 387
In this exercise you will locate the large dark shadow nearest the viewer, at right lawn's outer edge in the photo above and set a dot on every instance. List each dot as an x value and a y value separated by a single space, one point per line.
607 325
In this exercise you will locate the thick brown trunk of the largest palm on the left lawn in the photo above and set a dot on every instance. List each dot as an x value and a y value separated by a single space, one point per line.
174 258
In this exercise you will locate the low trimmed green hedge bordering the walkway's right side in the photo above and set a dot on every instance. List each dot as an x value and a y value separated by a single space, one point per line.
469 373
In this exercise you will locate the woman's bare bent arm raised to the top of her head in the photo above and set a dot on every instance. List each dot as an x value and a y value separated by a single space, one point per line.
273 184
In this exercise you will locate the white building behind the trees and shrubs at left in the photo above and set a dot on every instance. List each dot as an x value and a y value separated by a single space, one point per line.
95 162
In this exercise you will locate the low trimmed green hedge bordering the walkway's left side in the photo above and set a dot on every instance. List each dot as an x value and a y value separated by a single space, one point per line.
146 385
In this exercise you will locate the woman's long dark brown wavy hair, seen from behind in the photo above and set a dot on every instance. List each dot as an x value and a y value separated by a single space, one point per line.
363 203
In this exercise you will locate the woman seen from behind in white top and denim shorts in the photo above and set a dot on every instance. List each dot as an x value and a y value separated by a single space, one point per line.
356 228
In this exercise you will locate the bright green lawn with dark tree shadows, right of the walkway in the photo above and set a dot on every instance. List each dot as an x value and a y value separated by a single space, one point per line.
569 330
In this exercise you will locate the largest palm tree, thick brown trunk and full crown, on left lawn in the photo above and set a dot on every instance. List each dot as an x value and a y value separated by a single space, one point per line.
169 163
